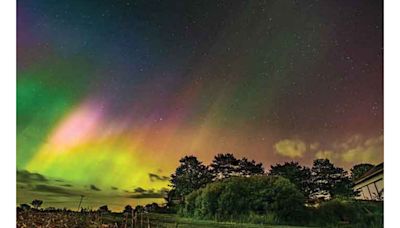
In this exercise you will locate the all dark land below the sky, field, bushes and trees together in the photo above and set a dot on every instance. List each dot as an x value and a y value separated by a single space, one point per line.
238 191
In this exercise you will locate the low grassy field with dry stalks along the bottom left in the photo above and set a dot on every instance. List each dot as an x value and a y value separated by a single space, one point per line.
35 218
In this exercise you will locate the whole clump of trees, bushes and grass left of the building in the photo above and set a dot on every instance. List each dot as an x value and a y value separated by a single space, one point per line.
240 191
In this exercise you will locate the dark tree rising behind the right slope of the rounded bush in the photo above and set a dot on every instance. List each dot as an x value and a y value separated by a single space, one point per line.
298 175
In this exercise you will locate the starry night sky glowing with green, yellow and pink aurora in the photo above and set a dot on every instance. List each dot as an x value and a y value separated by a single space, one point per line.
110 94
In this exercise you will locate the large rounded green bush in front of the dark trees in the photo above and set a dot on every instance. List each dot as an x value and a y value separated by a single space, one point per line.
259 199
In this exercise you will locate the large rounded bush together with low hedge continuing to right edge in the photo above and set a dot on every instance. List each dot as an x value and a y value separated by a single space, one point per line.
275 200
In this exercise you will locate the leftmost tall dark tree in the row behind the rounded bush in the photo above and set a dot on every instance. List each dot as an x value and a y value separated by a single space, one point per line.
189 176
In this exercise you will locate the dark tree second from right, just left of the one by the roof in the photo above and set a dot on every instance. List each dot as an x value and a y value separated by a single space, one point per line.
328 180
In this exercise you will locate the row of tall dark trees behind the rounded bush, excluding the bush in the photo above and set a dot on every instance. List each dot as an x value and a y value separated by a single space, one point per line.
322 180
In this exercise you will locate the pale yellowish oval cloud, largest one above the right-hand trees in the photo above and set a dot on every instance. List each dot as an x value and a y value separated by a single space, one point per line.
290 148
